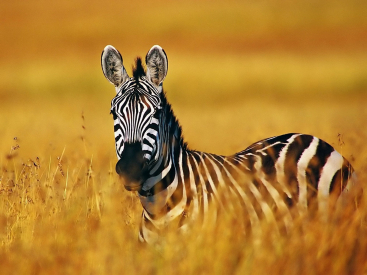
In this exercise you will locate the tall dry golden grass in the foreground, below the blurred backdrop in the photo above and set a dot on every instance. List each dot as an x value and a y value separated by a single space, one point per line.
60 215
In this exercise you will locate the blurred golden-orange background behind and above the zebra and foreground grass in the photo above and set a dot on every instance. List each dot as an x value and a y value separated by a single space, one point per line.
239 71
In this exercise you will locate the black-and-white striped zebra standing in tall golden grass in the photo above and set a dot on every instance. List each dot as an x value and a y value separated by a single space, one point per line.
177 185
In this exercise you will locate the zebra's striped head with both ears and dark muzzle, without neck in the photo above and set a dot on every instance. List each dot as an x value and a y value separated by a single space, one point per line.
136 112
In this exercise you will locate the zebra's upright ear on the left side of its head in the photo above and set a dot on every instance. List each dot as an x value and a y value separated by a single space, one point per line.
112 67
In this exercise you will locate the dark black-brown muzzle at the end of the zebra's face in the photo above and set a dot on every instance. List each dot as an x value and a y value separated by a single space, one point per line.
132 166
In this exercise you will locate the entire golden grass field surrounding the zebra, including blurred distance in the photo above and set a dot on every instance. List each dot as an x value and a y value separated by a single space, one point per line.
239 71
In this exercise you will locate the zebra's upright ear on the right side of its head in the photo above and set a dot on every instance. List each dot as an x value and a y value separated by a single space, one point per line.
157 64
